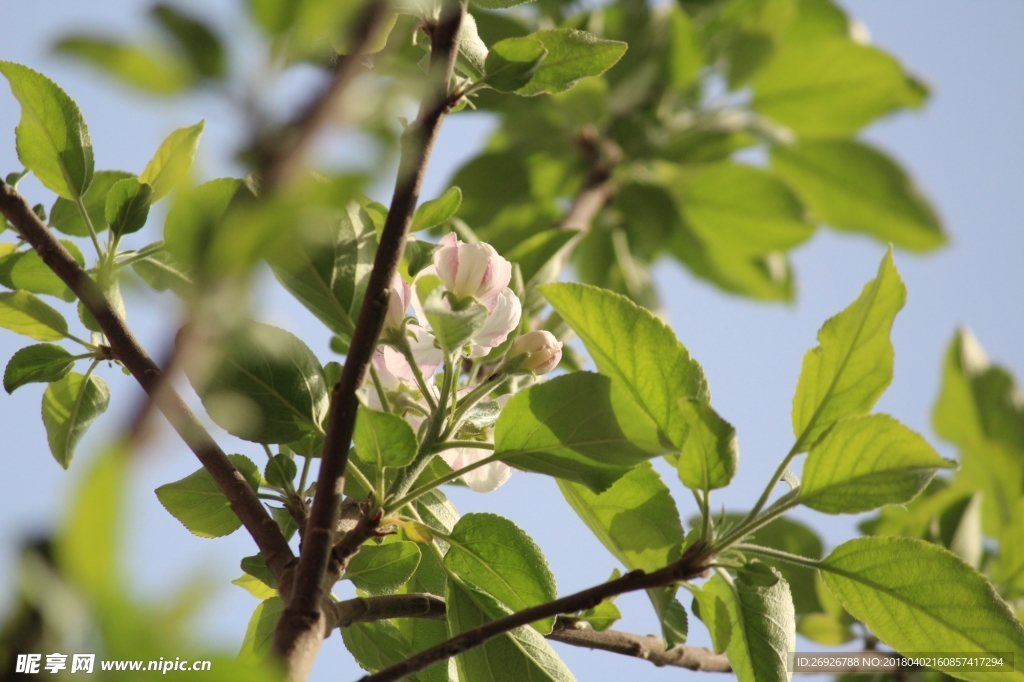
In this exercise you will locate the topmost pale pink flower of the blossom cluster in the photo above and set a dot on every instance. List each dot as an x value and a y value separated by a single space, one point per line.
473 270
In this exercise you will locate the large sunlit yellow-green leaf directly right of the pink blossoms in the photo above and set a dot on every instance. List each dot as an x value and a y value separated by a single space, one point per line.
635 349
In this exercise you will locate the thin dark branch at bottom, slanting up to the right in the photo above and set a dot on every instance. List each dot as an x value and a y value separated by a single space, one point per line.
689 567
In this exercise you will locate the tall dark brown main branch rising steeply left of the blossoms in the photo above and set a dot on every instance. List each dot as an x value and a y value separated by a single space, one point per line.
303 625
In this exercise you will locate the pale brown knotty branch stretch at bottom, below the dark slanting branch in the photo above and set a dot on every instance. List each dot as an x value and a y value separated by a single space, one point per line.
649 648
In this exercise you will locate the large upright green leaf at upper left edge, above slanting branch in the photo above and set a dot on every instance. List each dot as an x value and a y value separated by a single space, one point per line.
53 140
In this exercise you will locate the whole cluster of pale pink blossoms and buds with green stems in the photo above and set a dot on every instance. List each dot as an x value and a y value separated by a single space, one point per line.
408 361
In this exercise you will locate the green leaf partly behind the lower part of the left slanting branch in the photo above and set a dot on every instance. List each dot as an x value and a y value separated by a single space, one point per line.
199 504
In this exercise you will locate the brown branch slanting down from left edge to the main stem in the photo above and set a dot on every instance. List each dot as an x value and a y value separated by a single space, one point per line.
127 351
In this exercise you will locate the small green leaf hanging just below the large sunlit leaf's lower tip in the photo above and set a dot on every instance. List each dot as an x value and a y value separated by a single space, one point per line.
711 455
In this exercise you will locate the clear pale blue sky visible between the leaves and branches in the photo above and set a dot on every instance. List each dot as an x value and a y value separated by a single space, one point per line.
966 149
